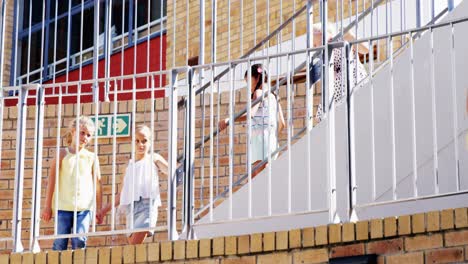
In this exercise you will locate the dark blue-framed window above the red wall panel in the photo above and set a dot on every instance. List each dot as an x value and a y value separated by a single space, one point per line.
68 45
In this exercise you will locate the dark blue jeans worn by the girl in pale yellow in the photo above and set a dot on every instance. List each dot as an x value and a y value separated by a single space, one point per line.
65 226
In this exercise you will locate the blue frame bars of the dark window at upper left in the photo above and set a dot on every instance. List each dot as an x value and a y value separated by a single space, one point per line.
130 33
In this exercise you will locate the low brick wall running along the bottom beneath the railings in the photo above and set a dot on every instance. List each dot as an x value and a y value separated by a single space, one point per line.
433 237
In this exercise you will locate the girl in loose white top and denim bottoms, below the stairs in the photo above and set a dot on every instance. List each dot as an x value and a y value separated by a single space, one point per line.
141 187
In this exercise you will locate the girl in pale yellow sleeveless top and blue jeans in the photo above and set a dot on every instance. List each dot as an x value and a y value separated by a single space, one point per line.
69 185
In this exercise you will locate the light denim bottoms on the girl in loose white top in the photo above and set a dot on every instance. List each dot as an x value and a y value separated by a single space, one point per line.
141 215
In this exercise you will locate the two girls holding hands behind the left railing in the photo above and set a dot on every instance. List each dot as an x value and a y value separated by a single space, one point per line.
76 194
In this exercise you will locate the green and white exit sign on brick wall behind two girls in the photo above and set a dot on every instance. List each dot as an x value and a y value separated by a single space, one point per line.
105 125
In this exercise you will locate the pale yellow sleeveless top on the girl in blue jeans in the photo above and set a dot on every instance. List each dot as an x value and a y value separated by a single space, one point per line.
84 183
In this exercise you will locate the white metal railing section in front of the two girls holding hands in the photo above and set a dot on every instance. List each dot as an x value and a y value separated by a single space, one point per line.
24 94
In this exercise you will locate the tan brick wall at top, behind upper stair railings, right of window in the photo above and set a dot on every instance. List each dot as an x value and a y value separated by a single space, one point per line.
187 35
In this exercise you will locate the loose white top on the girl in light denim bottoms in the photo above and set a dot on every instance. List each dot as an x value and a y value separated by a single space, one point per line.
143 176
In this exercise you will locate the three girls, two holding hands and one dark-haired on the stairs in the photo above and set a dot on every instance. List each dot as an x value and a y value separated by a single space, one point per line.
79 178
